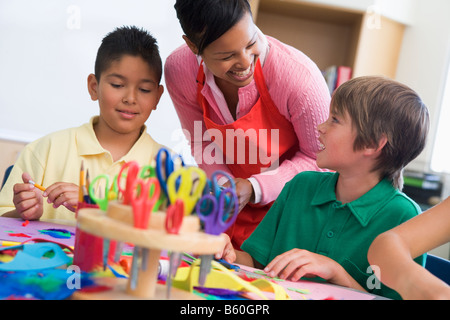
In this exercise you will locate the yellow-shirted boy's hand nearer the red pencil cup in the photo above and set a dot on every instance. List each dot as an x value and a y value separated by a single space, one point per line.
63 193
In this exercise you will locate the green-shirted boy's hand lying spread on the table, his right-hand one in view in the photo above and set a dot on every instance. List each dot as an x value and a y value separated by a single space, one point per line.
297 263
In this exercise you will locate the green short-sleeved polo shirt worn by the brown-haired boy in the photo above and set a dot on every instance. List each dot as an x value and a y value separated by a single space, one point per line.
307 215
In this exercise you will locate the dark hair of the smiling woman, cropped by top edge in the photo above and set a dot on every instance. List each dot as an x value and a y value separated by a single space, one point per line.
204 21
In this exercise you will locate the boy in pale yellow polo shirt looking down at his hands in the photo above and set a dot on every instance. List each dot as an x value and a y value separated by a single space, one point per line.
126 84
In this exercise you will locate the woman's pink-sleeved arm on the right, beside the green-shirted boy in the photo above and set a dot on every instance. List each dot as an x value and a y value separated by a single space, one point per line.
301 95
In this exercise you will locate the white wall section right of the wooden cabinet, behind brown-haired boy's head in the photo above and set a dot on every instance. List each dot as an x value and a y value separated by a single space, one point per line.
424 62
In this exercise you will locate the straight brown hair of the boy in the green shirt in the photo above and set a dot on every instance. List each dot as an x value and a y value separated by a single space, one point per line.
380 107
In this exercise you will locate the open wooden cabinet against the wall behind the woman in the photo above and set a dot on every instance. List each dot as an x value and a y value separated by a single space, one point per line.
366 41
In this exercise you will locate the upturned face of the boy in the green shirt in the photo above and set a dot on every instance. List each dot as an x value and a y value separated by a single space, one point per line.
337 137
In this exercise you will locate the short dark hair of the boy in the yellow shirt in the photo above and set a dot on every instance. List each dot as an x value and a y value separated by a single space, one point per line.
128 41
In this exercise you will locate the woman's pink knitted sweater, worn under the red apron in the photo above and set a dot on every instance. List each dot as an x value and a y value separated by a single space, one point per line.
296 86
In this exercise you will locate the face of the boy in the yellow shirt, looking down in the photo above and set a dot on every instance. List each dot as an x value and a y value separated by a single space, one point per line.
127 92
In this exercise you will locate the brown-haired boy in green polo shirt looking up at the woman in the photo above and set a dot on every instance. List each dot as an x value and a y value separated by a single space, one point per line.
323 223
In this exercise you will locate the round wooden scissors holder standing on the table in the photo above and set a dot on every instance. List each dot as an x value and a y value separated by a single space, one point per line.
117 224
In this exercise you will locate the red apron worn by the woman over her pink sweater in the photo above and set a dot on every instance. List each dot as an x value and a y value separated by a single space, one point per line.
261 121
